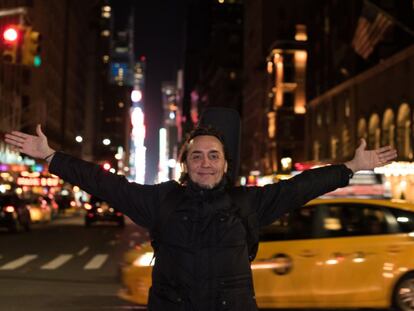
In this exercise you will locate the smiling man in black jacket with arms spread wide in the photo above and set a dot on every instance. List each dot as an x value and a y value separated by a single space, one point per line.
203 243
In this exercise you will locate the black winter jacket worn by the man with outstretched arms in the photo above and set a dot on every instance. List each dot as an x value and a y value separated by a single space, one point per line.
202 263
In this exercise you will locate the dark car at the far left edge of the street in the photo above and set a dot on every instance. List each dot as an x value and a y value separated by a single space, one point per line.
14 215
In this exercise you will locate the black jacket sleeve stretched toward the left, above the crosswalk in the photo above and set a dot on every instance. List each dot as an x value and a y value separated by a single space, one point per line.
135 200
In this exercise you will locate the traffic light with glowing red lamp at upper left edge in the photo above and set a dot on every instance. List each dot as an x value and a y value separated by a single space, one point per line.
11 38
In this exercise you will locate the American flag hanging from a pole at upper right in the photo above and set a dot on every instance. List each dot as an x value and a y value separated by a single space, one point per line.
371 28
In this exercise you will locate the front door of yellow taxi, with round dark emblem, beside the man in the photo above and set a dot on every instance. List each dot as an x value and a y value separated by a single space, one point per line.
284 266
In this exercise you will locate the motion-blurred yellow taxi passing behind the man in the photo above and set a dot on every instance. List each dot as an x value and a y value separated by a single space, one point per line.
331 253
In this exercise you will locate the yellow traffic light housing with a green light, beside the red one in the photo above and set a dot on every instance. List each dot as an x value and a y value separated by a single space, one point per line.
31 48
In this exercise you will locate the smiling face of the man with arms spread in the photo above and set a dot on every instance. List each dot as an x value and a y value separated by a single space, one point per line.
205 162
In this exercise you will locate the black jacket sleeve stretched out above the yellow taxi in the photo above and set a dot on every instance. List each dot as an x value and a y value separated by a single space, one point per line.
272 201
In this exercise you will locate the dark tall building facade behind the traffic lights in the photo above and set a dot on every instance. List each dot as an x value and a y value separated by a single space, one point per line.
60 91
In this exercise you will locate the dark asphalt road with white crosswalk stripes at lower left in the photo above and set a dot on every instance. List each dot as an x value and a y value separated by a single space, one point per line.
65 266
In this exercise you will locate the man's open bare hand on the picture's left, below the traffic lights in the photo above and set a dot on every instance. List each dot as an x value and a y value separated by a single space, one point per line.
34 146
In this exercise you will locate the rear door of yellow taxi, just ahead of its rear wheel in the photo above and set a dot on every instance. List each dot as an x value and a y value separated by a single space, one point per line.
355 251
